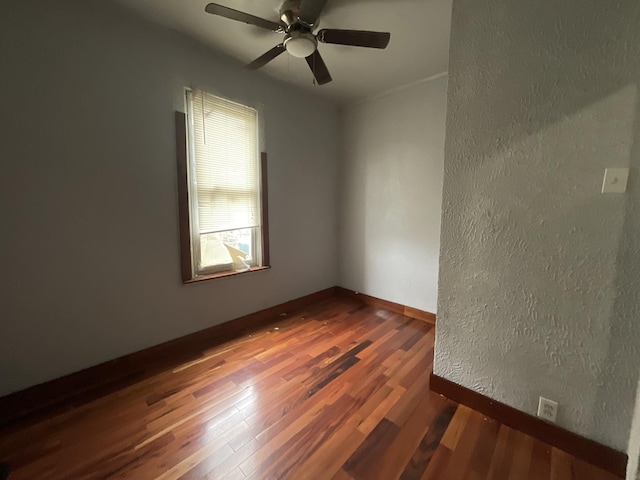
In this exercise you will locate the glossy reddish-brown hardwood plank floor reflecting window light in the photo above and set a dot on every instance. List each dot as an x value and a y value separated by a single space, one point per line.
340 390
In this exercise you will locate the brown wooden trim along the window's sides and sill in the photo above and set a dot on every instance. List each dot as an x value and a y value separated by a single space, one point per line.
187 272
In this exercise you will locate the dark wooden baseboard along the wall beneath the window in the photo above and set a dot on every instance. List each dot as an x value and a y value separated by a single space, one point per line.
66 392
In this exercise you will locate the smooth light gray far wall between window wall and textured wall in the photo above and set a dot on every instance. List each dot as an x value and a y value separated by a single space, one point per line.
391 195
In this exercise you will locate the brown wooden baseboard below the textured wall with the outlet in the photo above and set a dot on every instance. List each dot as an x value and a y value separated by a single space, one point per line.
600 455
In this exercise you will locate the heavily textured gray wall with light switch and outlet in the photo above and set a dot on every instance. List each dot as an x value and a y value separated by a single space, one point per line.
539 272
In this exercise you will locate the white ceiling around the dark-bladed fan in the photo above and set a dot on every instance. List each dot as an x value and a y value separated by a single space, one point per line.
419 46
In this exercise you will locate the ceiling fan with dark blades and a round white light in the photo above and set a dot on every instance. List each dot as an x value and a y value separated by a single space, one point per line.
298 19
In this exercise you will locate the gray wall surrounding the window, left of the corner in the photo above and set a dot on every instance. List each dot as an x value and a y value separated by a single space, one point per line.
88 197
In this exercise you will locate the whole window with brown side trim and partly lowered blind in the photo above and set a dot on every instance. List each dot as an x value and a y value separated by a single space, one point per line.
222 188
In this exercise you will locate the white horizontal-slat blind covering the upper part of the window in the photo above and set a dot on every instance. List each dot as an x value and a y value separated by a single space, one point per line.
226 163
